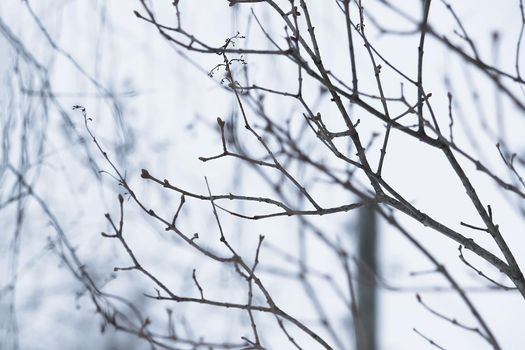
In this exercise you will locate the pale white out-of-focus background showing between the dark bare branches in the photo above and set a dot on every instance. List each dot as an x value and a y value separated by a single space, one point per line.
126 54
